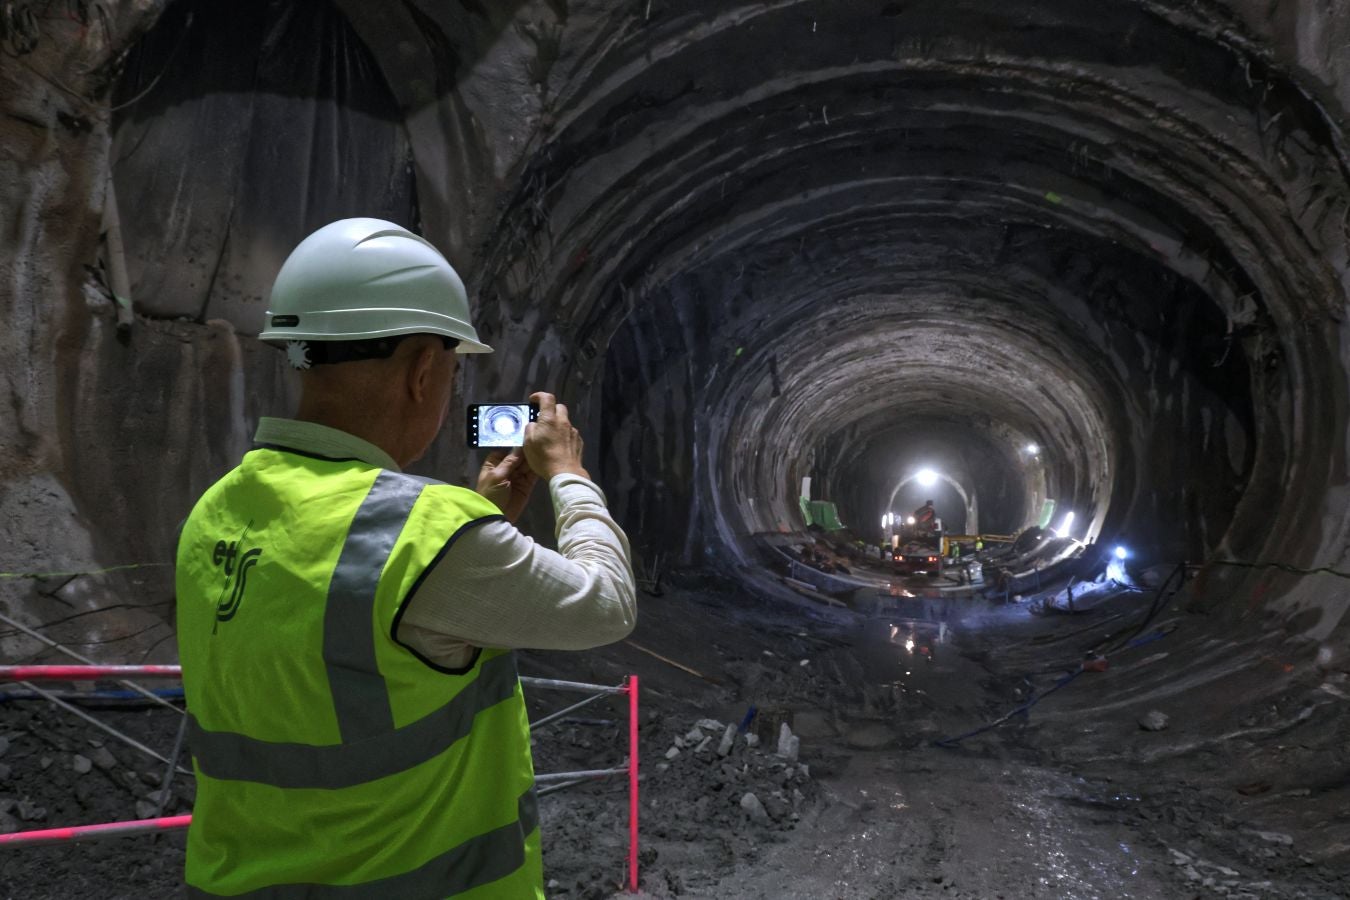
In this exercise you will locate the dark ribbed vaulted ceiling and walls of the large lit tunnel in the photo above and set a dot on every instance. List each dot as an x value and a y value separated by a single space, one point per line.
834 240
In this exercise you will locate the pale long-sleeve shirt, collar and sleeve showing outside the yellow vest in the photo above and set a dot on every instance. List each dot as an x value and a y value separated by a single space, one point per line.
495 586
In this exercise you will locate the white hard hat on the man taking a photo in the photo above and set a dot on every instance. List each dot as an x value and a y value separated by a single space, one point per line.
368 279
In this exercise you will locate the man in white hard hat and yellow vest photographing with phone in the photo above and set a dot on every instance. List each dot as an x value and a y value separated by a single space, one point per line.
345 629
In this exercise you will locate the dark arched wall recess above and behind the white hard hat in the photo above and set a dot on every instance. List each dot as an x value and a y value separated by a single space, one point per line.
223 160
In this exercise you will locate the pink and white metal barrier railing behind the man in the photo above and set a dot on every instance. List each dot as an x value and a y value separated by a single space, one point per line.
171 824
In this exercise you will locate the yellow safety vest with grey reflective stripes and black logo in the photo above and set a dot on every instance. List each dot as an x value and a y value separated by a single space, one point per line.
331 760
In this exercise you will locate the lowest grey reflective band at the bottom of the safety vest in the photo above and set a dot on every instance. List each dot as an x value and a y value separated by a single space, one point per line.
491 856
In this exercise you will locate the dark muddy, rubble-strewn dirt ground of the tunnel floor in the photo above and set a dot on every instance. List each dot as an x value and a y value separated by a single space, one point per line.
1243 795
